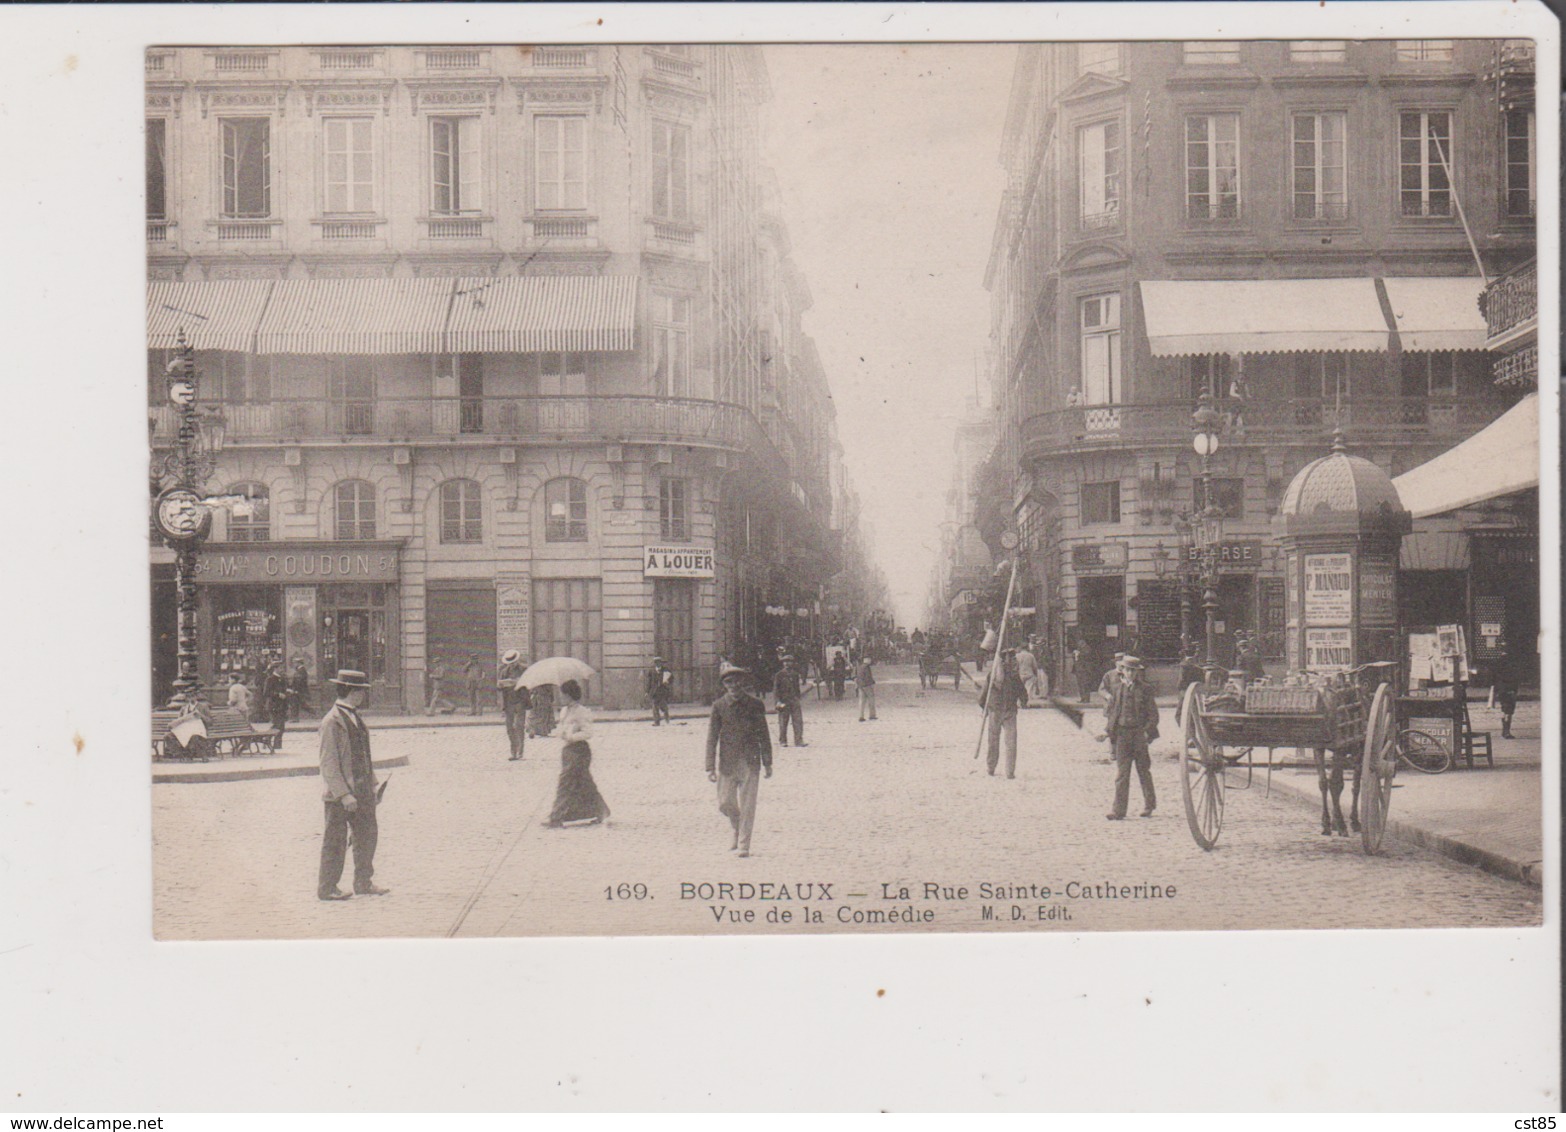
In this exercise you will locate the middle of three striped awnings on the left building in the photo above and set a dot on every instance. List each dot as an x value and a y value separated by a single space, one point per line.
356 317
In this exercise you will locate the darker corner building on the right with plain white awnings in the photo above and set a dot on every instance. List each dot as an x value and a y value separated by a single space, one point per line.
1277 225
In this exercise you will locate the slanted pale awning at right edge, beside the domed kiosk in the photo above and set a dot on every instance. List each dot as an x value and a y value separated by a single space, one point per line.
1499 460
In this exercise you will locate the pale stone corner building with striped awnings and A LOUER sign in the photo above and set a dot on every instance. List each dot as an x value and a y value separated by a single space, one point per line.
505 348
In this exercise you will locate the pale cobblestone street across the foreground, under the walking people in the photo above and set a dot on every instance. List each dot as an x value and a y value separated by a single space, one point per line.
898 804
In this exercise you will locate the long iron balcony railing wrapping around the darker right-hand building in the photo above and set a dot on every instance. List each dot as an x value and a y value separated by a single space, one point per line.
1301 420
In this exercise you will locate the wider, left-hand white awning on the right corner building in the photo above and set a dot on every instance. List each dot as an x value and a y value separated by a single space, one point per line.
1263 317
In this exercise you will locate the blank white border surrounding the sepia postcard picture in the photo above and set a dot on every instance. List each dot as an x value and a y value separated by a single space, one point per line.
99 1018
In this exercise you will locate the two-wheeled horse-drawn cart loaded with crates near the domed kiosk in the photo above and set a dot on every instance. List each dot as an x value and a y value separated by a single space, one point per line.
1349 724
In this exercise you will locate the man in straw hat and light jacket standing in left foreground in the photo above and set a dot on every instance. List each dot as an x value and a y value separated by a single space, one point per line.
350 791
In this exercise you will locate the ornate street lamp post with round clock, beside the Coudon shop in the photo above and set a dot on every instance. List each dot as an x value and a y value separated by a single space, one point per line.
182 513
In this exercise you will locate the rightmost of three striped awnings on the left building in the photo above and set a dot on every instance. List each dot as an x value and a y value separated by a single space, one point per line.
533 314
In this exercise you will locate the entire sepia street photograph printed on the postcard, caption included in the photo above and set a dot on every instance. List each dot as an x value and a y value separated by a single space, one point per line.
732 489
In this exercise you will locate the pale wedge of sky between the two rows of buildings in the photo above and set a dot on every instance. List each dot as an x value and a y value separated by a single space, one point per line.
889 162
